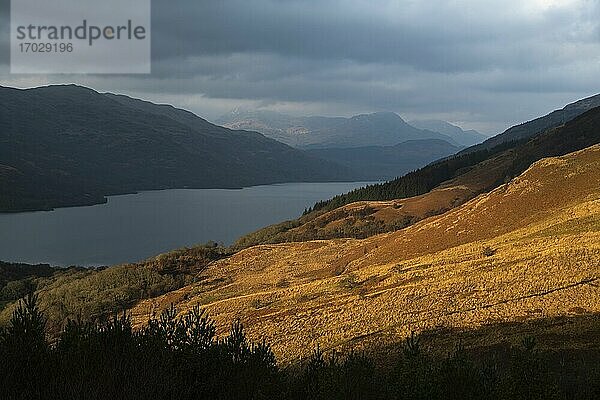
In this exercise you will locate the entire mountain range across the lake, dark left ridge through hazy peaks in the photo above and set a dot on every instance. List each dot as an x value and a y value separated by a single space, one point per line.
68 145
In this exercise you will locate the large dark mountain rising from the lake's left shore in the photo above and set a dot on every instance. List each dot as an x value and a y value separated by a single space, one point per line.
70 145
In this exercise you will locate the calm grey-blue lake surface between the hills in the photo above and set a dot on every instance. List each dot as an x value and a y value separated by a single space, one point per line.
134 227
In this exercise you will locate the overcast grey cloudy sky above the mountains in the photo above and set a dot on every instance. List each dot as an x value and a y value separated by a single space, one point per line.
481 64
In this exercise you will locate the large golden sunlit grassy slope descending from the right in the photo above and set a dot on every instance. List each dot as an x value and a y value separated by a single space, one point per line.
527 250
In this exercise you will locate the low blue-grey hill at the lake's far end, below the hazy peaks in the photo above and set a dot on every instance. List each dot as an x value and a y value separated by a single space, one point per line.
388 162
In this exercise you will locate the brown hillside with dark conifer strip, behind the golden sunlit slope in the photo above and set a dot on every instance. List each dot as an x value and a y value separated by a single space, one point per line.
429 191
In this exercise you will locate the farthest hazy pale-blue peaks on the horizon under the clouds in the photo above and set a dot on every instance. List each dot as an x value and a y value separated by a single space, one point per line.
377 129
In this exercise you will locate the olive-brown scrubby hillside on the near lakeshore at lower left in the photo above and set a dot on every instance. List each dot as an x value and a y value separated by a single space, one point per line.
92 294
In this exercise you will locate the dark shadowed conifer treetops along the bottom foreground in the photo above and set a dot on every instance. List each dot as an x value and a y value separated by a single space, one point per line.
180 357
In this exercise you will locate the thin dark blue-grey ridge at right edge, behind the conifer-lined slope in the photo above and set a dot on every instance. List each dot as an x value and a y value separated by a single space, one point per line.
538 125
